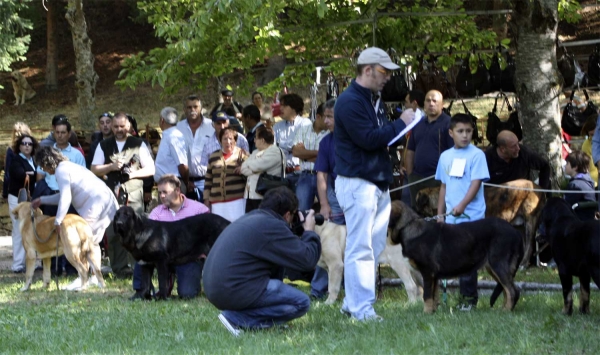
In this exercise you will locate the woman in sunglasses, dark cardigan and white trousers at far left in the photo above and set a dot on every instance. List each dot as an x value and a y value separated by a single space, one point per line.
21 172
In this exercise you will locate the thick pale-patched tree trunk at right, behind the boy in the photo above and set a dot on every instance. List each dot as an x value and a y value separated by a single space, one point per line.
536 78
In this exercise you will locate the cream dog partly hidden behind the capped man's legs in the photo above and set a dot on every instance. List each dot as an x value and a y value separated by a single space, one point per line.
333 245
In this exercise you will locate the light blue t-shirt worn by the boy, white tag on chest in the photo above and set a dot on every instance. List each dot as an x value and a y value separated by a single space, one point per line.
475 168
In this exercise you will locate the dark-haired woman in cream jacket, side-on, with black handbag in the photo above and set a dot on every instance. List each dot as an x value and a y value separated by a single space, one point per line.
266 158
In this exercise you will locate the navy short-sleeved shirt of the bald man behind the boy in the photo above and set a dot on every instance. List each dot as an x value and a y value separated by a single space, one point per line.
429 140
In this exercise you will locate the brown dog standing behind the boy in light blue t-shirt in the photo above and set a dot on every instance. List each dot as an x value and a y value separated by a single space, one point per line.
516 205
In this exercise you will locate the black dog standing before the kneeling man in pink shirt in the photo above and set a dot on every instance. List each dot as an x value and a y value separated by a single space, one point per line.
165 244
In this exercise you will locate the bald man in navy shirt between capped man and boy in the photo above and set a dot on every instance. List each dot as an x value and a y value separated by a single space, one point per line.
428 140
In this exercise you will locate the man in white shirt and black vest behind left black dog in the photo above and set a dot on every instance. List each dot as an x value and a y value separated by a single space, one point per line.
122 161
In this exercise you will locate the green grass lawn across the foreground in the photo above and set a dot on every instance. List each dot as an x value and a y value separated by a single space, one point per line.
95 321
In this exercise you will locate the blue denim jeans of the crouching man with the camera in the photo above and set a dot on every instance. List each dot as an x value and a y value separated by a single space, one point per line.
279 303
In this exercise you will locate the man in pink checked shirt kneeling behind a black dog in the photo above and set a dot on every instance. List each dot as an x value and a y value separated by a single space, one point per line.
175 206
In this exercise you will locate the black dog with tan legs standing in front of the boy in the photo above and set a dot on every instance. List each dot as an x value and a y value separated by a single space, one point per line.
443 251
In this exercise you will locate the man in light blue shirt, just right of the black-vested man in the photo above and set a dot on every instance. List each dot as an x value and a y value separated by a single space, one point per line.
171 157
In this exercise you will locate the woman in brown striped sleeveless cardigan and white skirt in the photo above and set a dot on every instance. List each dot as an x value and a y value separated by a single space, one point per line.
224 184
